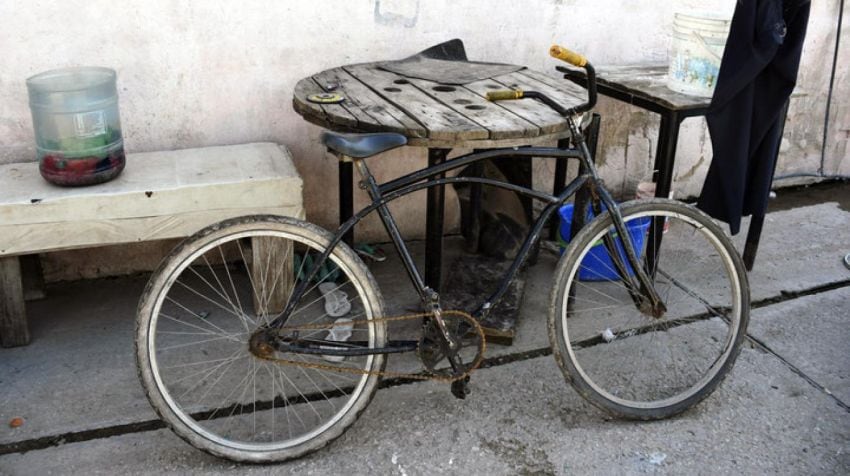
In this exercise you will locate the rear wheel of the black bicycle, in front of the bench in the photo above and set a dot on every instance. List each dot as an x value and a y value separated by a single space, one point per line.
199 311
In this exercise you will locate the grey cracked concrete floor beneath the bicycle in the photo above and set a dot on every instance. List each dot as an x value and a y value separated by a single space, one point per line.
785 407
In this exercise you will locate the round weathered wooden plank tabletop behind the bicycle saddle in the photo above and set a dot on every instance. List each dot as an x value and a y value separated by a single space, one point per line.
431 114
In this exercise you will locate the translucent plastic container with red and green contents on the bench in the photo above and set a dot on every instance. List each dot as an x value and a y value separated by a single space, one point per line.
77 126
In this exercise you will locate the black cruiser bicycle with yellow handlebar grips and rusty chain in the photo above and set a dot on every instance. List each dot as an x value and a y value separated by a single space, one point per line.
239 355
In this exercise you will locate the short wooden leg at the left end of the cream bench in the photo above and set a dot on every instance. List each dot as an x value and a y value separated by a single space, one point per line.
14 330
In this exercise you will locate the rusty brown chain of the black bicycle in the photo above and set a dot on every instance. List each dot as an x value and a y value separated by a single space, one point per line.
479 357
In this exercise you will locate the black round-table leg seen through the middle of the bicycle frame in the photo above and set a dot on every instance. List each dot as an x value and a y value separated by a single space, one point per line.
434 224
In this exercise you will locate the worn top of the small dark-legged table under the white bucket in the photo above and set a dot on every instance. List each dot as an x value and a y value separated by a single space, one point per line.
646 83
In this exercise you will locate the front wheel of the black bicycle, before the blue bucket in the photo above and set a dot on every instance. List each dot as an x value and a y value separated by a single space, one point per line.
631 364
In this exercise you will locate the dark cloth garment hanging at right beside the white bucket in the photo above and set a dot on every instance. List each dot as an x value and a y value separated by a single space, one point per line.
757 74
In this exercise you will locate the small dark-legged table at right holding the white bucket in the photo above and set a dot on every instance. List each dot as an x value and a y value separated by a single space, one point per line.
645 86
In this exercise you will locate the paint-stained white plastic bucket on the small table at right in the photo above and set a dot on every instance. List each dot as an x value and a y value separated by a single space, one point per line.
696 51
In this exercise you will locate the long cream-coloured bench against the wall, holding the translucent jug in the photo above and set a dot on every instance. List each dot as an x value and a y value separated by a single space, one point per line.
159 195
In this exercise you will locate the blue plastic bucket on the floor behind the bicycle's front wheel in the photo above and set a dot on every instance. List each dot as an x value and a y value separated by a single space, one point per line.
597 264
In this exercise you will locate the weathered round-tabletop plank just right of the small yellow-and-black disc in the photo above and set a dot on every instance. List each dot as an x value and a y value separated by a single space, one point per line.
371 110
